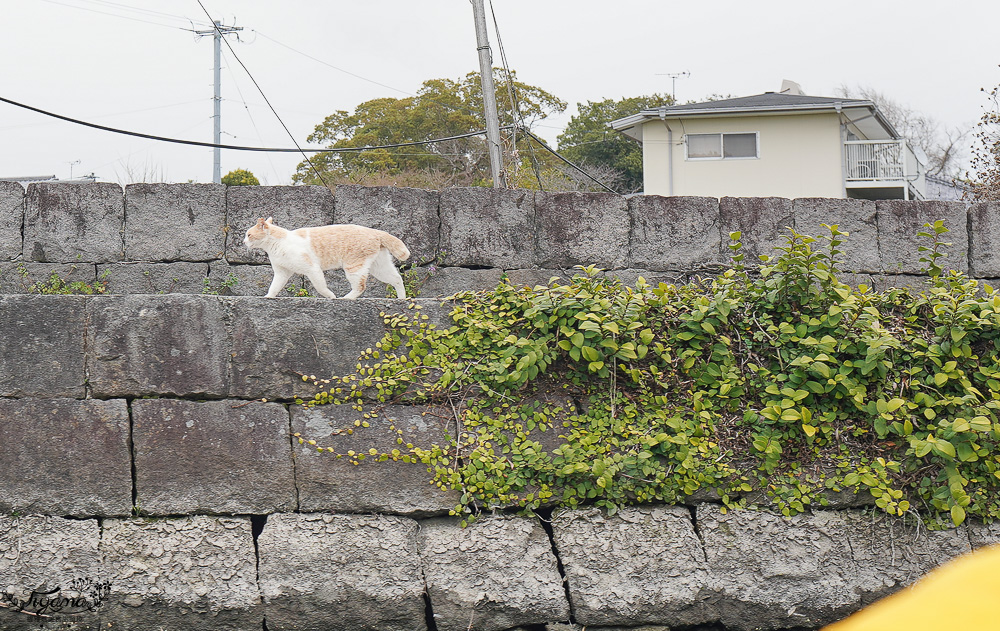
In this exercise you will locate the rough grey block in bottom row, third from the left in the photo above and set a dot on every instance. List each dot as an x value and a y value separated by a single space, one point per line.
341 573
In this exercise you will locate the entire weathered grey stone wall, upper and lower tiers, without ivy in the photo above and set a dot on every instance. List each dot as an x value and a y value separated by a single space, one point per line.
148 479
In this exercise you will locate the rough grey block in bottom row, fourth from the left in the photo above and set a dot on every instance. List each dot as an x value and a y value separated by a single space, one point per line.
498 573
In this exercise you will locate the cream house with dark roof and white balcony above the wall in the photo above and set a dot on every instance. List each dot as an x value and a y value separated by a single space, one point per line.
783 144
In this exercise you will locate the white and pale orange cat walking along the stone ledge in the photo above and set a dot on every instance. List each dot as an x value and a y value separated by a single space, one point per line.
358 250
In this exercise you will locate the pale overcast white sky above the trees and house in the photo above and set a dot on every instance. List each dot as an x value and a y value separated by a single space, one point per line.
84 59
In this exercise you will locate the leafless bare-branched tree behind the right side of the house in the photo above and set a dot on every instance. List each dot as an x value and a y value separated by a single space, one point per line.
942 146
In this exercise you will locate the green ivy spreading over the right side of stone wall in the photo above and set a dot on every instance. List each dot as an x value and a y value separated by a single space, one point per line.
770 386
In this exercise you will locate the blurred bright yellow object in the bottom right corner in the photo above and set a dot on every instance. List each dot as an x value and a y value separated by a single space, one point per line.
961 595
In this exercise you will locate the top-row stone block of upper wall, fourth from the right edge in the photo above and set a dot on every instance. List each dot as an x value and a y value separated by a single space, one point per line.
763 222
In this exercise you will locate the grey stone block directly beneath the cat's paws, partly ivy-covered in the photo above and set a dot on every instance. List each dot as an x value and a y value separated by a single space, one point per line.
275 340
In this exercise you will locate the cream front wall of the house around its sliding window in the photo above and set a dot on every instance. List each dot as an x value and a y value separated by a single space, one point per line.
799 156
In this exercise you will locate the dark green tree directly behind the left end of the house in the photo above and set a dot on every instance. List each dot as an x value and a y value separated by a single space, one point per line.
589 142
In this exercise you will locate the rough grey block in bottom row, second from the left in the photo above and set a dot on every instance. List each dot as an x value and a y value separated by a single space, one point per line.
193 573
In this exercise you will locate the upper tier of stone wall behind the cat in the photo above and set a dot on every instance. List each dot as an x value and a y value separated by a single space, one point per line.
187 238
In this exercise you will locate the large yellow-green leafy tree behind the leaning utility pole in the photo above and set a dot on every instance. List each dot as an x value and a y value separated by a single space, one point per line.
442 108
